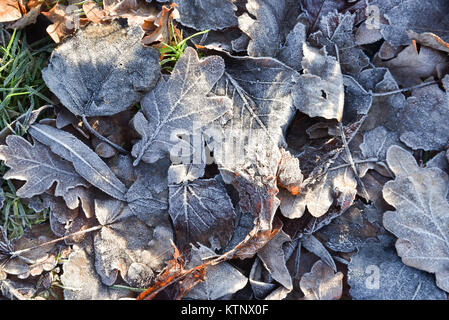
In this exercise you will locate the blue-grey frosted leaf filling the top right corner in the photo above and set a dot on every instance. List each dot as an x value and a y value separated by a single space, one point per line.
418 16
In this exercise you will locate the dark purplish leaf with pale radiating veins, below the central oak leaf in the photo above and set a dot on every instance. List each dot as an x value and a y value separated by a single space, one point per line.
201 211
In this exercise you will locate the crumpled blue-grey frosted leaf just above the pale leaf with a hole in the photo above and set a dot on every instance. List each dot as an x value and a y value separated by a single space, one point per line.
336 31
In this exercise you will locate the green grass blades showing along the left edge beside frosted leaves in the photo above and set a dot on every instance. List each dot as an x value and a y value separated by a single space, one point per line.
22 90
